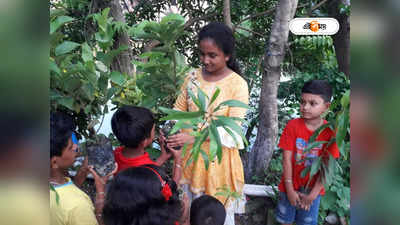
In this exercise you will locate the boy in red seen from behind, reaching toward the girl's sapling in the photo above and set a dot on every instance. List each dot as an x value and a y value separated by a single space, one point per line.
134 128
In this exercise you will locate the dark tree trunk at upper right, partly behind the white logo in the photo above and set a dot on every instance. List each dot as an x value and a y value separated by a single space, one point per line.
341 40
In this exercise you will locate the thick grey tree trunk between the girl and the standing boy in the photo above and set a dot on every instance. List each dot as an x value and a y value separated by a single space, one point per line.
265 143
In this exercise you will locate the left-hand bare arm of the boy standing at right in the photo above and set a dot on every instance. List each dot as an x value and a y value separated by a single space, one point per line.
292 195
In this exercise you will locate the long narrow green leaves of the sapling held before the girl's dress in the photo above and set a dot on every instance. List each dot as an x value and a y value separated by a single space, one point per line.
204 124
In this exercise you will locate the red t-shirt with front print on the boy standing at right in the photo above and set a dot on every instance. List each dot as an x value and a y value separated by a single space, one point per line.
295 138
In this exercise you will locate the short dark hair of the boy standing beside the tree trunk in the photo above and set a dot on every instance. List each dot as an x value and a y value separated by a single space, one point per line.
318 87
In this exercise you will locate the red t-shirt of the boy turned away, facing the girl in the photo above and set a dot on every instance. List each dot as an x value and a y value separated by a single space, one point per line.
124 162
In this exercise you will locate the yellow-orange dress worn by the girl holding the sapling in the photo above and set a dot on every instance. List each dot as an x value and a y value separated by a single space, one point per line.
229 172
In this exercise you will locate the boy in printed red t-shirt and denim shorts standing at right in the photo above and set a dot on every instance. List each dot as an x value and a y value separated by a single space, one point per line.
298 202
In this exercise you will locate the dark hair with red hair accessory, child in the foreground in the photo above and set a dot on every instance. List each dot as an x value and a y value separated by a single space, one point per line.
134 198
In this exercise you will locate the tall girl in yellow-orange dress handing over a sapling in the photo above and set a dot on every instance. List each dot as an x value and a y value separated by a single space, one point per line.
216 45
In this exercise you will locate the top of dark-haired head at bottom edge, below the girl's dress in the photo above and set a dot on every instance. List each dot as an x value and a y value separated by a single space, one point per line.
207 210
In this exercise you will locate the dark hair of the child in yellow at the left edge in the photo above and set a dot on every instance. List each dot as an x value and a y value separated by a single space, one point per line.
61 128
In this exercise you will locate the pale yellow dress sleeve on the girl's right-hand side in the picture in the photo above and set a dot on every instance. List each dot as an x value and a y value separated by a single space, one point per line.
240 93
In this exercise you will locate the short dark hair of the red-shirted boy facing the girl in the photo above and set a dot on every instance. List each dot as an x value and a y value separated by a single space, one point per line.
131 125
